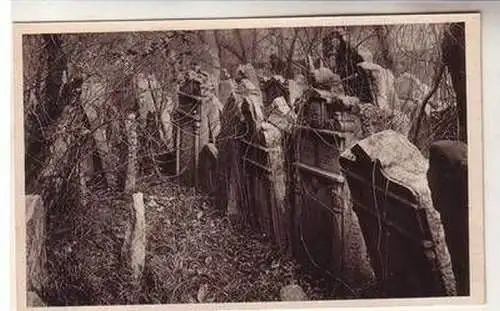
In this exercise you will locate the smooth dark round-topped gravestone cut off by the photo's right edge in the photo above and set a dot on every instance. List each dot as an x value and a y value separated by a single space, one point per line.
447 176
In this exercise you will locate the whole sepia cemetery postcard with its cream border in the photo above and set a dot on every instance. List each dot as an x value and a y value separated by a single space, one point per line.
249 163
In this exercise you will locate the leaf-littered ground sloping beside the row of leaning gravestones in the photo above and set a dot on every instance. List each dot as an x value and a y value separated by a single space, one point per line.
193 254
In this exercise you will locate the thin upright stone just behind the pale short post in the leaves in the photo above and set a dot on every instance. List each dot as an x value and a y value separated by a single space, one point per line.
131 130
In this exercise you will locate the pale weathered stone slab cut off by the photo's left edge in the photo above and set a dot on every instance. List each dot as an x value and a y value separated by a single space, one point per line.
36 274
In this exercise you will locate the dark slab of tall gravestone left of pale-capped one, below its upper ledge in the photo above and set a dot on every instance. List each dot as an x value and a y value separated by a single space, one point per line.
327 234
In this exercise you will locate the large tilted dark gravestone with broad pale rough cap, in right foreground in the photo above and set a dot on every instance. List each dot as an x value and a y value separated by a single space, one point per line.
403 231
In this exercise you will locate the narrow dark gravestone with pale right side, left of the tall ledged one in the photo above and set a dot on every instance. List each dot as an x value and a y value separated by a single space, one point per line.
263 174
